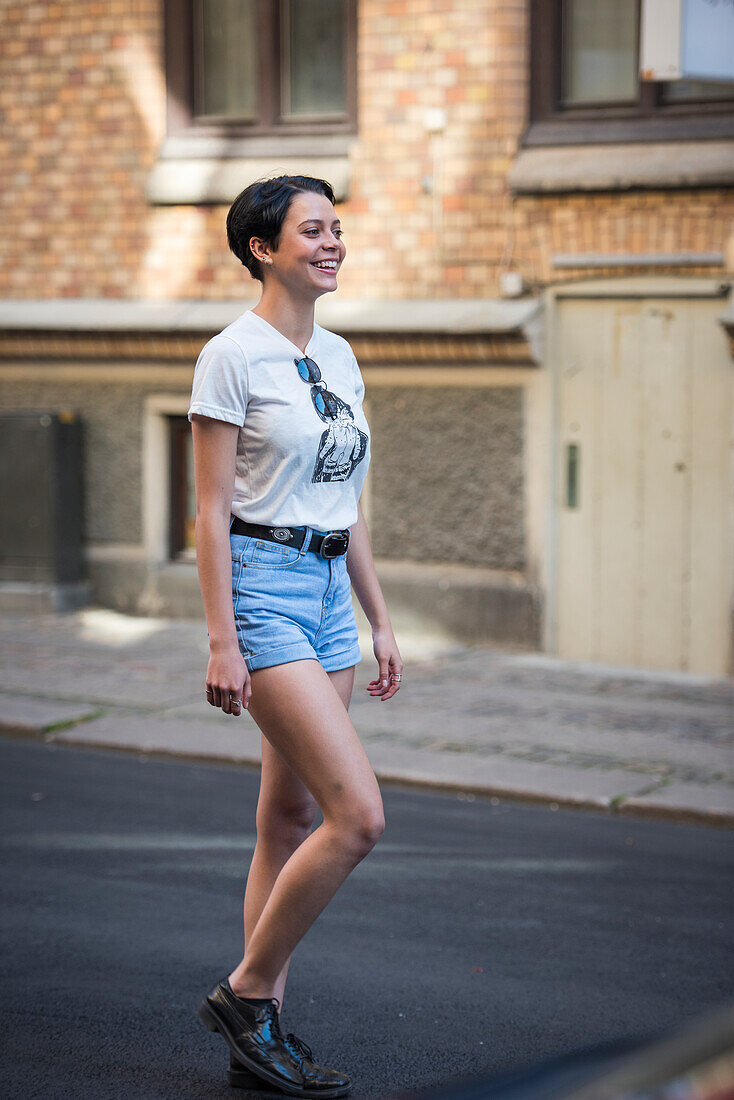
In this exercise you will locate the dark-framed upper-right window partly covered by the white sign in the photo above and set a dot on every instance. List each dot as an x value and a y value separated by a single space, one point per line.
585 85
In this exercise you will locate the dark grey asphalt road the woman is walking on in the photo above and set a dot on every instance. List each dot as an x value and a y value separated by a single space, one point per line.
476 938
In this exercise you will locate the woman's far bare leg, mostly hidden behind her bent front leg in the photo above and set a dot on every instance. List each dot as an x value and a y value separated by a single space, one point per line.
286 816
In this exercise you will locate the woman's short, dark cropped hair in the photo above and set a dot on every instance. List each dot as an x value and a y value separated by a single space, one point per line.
260 212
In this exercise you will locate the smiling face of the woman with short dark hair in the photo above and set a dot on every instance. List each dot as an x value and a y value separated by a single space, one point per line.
310 251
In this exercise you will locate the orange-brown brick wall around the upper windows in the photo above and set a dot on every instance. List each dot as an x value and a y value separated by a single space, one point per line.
430 216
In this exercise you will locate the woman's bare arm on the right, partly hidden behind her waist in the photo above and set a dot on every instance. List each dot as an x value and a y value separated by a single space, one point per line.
360 567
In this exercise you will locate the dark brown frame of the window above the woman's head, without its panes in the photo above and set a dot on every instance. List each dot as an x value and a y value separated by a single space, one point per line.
180 65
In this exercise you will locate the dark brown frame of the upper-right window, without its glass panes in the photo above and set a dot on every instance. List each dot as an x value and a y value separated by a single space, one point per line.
648 119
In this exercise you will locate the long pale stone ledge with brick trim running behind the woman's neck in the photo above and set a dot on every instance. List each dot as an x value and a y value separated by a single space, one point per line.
420 332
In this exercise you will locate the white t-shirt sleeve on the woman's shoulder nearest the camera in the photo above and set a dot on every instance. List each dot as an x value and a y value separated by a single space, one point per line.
221 382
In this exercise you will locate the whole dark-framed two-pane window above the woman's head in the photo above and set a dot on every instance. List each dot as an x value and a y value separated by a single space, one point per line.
240 69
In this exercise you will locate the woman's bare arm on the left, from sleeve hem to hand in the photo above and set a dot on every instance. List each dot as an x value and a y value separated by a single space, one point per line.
215 454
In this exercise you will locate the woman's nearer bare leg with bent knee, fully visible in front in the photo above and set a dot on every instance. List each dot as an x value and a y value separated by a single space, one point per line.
302 714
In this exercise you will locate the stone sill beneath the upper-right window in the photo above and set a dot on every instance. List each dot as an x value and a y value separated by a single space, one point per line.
544 170
